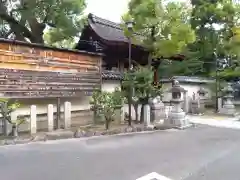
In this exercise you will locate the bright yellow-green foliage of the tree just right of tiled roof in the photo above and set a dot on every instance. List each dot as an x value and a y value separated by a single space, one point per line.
164 28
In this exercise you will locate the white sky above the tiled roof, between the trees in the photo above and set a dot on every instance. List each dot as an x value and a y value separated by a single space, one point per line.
108 9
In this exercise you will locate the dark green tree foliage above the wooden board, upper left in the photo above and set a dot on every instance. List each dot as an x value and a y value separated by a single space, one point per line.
28 19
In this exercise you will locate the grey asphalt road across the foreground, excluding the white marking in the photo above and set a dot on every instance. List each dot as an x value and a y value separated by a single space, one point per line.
202 153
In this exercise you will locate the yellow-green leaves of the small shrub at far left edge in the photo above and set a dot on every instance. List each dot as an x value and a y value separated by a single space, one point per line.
8 106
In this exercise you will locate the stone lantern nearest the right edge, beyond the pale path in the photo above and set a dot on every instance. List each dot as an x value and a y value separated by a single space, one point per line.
228 106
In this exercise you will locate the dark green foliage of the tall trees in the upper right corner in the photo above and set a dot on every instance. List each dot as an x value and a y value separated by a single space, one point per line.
213 22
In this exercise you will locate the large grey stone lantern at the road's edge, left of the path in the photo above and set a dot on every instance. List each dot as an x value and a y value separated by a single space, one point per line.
177 117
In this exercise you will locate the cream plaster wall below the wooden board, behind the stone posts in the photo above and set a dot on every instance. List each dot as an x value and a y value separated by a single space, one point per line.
80 111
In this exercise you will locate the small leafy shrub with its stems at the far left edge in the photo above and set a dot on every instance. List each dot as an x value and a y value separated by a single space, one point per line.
8 106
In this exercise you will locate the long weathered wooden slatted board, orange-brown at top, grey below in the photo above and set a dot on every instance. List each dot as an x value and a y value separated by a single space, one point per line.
34 72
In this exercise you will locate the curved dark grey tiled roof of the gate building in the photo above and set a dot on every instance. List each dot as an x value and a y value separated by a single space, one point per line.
107 30
